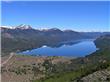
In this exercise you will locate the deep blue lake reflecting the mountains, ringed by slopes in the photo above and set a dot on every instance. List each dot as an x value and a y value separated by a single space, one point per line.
70 49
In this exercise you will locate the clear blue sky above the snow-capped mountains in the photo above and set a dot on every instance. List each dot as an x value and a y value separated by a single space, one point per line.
75 15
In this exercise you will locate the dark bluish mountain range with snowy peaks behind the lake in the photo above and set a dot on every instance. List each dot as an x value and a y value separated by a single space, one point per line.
25 37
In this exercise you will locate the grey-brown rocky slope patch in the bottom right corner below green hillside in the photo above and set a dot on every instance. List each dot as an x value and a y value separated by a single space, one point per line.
98 76
